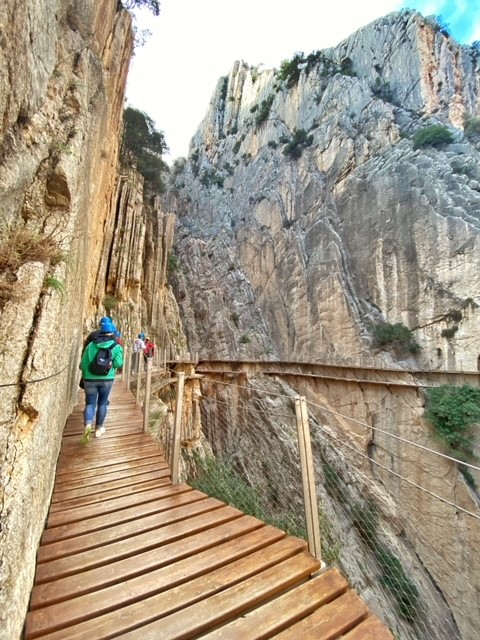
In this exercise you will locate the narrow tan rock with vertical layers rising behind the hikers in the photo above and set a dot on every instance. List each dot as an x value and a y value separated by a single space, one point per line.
132 283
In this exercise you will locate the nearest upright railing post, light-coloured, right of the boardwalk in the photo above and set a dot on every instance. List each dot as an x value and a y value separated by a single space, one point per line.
308 479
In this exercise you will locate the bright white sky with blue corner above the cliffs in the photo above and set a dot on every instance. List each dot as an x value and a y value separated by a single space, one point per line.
193 43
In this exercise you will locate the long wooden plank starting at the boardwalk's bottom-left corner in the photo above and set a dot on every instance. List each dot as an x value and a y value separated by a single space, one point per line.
63 614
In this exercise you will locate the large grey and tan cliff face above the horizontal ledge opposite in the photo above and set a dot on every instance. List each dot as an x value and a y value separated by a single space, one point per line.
306 214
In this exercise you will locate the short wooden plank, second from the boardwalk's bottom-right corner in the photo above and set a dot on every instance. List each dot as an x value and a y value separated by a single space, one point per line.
328 622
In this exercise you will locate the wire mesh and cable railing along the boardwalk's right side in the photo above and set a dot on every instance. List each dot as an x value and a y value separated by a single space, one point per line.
399 518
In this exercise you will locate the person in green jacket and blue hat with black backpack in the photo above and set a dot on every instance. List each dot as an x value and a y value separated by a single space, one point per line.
99 362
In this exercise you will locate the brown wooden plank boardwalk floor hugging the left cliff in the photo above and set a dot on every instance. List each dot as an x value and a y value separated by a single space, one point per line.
127 554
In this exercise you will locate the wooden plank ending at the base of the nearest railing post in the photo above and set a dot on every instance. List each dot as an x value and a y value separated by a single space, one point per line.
191 621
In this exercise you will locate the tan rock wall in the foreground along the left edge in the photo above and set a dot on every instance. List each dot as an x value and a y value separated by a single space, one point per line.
63 68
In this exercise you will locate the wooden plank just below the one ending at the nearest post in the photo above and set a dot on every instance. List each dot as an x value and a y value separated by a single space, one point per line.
276 615
